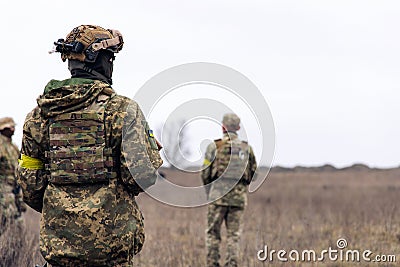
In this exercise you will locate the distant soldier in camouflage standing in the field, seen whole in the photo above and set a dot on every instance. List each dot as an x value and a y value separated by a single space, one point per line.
230 164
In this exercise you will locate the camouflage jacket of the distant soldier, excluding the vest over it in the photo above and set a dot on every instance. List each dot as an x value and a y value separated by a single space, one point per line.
237 196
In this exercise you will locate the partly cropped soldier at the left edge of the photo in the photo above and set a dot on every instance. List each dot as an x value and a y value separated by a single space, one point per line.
11 201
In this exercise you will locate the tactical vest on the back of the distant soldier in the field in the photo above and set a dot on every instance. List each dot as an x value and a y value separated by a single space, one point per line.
231 159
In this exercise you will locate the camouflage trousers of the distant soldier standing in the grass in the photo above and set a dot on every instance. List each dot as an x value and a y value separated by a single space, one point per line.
233 217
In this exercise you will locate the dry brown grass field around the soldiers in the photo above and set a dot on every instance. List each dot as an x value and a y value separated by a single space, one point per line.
302 209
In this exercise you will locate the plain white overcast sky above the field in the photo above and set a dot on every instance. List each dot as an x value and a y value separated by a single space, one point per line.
329 70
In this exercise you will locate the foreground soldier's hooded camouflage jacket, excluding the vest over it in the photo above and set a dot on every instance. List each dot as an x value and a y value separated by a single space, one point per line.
93 224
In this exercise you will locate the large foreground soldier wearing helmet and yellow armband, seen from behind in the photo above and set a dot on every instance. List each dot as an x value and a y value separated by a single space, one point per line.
80 167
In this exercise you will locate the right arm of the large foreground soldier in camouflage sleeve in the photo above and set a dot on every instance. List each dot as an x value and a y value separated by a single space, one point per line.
139 152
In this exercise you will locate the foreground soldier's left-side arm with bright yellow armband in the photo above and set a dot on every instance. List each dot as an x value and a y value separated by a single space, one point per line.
30 173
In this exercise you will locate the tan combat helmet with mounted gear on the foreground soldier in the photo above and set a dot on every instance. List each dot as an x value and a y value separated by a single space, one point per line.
84 42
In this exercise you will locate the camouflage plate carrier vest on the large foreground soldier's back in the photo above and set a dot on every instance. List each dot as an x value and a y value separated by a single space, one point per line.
78 153
